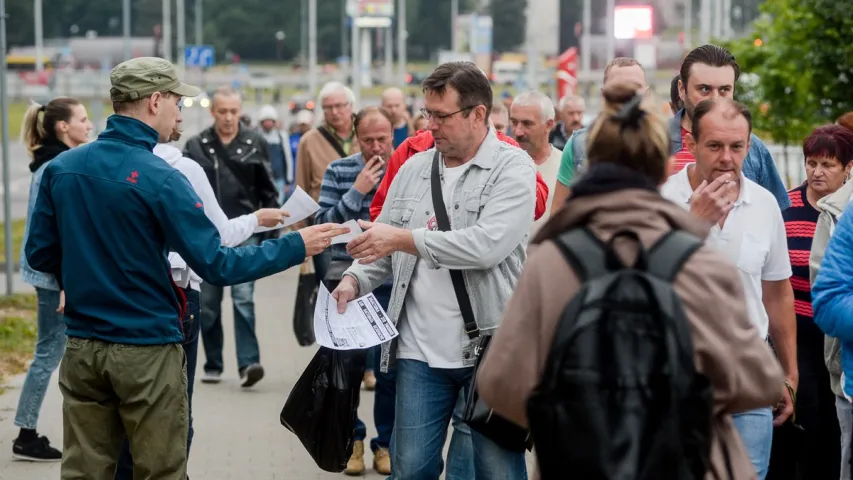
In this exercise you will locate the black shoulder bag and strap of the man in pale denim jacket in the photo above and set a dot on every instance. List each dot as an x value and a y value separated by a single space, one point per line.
478 415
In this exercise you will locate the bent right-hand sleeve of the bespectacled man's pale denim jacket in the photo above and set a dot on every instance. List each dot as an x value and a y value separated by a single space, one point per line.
503 222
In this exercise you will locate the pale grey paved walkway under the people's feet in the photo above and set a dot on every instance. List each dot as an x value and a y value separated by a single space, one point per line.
237 432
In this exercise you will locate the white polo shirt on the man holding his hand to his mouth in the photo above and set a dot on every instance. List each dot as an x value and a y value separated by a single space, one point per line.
752 237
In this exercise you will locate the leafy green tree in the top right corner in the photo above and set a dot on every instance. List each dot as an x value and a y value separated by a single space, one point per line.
799 65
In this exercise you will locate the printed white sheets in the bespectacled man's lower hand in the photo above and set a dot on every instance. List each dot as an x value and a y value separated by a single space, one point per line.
364 324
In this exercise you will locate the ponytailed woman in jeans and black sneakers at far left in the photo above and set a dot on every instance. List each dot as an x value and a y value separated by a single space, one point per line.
48 130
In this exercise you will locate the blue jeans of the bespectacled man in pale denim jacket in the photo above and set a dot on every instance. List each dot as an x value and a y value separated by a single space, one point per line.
426 399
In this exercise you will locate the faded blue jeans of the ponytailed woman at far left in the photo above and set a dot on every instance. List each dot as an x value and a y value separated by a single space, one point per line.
50 347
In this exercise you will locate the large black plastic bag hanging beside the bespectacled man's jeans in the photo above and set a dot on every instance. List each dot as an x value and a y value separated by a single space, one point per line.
322 407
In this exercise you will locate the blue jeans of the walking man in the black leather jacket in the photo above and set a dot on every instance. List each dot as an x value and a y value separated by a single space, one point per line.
243 298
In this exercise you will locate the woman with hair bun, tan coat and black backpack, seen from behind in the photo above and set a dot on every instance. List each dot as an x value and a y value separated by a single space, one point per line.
592 435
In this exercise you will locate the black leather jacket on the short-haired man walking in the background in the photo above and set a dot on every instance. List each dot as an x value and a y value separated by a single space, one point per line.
240 173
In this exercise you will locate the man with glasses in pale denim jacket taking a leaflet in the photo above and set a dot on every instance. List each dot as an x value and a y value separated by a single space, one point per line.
488 188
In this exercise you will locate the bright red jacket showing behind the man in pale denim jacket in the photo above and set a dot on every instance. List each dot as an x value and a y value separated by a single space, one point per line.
423 141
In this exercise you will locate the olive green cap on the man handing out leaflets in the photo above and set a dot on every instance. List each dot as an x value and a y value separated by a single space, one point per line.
143 76
